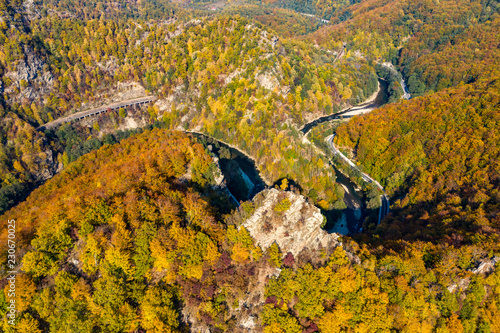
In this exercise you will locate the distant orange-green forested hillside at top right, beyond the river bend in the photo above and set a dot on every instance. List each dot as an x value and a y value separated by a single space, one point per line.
436 44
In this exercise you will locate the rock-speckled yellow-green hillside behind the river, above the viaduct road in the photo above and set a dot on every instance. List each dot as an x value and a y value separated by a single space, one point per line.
209 74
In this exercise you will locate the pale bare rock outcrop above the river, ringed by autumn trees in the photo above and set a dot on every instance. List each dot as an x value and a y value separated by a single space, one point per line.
289 220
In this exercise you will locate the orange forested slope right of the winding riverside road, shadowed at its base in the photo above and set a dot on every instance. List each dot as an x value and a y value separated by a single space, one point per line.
439 157
